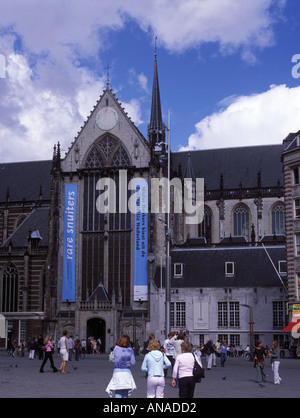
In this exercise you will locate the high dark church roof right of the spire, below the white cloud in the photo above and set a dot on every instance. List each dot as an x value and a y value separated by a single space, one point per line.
237 165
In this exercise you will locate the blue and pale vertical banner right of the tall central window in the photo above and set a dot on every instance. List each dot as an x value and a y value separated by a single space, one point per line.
141 240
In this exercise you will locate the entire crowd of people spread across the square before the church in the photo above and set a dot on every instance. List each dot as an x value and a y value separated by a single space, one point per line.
176 355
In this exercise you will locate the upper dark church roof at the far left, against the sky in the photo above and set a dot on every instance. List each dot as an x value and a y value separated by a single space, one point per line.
24 180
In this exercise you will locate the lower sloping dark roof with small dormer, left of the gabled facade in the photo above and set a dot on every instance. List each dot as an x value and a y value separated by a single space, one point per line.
36 223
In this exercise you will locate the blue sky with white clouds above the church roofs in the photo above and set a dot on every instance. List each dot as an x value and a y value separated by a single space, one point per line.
229 71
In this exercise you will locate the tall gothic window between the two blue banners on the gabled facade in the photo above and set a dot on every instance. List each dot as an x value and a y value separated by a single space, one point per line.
106 238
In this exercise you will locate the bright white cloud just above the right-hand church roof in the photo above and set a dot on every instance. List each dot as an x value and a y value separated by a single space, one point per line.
265 118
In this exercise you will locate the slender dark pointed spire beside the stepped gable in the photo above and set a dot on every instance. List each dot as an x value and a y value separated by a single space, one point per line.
156 127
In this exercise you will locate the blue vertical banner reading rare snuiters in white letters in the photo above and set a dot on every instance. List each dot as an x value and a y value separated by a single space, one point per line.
69 246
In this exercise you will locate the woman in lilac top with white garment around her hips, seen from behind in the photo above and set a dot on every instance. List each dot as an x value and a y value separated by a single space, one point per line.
122 381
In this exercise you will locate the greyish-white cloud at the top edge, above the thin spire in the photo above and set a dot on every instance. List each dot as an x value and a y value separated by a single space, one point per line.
233 24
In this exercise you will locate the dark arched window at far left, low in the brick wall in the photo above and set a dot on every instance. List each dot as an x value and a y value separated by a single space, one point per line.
10 289
